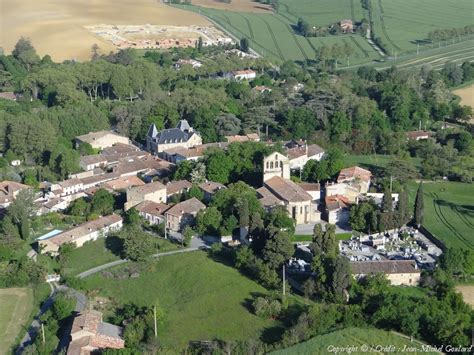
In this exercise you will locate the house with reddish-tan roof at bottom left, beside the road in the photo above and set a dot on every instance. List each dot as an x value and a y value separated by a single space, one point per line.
90 334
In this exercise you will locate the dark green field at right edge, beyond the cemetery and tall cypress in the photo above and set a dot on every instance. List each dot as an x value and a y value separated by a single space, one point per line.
449 211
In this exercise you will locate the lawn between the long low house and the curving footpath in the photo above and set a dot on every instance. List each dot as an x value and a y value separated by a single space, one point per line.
101 251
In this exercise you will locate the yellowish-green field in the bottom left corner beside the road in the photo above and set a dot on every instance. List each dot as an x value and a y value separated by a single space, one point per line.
16 305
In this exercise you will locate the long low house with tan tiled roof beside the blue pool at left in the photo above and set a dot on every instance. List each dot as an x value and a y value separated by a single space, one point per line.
81 234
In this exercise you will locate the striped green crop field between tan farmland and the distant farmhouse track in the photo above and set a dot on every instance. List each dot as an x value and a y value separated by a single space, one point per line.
273 35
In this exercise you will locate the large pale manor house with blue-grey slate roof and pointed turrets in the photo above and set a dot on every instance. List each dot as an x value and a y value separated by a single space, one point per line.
181 136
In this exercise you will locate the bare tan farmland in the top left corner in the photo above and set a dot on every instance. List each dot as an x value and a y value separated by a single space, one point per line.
57 27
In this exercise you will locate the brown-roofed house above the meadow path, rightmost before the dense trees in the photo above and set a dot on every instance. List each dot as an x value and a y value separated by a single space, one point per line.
183 214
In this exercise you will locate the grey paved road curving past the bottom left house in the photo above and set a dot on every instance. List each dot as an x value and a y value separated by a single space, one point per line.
35 324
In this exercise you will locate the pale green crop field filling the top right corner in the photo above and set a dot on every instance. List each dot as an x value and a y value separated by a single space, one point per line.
403 24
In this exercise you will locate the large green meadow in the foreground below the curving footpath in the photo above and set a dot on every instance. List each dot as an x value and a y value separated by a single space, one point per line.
201 299
